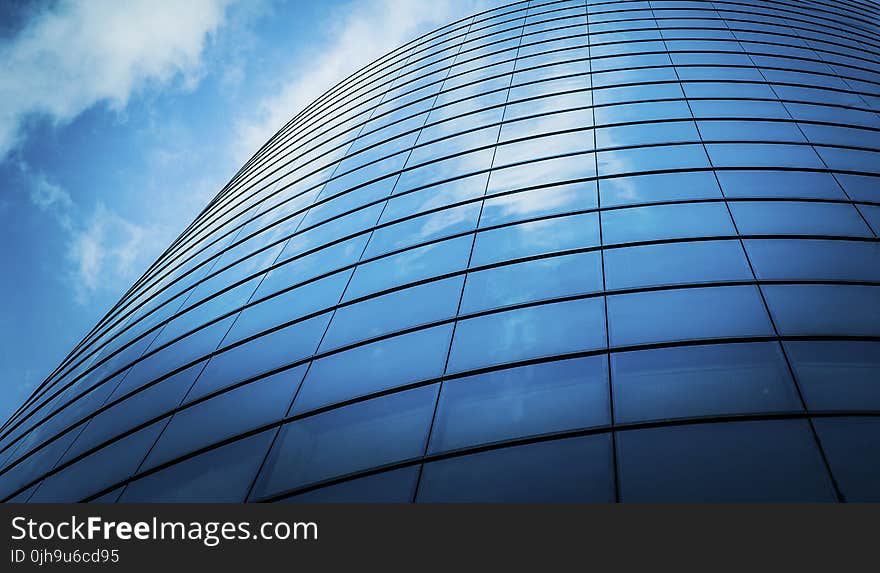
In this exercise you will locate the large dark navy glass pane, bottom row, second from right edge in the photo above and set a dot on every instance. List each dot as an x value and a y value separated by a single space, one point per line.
771 460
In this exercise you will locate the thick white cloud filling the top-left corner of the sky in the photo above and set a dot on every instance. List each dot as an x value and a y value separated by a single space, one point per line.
81 52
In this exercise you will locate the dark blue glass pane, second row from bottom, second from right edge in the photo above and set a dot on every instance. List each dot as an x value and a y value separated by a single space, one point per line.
695 381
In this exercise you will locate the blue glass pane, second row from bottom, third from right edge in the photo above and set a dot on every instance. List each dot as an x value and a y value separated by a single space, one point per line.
519 402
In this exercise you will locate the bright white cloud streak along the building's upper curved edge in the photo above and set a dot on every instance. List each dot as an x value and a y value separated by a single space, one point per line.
362 32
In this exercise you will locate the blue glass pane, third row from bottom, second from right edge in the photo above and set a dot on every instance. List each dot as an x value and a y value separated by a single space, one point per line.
687 314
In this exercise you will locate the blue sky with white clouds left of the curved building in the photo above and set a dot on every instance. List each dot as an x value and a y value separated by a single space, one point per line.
120 120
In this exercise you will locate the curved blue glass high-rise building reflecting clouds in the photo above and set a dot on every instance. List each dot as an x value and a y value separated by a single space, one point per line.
555 251
